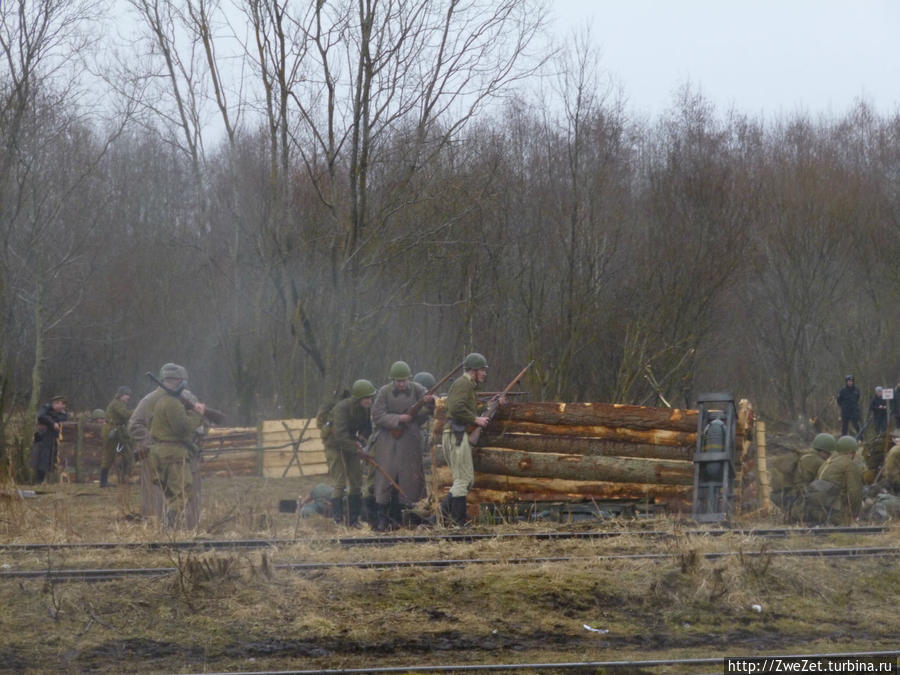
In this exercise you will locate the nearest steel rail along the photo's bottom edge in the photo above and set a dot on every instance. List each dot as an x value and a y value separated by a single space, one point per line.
646 663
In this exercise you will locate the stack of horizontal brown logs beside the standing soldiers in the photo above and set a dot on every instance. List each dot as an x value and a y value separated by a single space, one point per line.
561 451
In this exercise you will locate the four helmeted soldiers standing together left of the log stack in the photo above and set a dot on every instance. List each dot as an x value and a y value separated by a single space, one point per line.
375 441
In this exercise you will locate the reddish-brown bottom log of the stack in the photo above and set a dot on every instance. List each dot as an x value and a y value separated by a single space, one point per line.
552 487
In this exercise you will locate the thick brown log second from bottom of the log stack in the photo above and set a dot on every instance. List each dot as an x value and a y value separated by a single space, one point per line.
581 467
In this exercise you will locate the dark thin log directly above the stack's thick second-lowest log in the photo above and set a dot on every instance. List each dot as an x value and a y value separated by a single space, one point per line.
586 446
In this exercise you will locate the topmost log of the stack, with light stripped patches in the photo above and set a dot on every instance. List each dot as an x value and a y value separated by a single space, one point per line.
601 414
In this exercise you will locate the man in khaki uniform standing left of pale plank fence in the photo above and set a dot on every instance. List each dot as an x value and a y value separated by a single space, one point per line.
172 432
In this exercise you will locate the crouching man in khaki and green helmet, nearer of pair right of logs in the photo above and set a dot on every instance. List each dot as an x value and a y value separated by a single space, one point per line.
835 496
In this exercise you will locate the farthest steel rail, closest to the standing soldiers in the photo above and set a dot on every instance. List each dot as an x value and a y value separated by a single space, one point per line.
391 540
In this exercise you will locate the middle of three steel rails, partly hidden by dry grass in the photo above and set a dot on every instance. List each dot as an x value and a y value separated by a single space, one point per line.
117 573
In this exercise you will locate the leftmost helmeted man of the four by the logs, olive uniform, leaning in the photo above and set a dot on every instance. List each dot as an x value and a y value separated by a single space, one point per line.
347 427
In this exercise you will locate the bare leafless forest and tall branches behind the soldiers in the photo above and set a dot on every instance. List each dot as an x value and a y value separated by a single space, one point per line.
287 196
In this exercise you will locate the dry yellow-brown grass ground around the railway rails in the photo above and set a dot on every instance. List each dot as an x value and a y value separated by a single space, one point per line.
227 610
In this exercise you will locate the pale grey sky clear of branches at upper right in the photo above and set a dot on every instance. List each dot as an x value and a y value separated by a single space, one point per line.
761 56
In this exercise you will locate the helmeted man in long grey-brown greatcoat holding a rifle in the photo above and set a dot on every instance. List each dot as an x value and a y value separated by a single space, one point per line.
397 447
